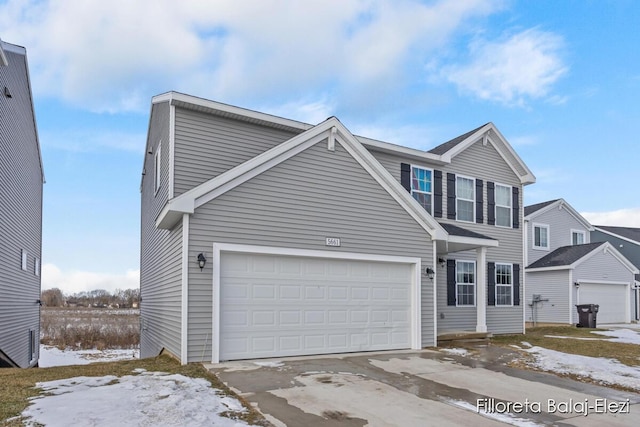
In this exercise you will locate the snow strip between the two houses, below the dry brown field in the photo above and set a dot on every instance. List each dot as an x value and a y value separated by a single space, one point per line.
52 356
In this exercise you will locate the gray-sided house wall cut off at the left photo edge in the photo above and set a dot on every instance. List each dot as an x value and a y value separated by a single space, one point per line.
21 180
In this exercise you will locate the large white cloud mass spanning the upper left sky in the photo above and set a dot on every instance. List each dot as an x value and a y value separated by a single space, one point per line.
113 56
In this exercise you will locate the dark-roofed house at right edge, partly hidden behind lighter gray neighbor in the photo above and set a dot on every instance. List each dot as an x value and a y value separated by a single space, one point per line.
627 241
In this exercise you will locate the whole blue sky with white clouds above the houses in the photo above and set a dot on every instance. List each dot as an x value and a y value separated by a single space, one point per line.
559 78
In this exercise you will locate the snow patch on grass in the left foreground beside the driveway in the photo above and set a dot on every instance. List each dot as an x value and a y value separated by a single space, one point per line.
143 399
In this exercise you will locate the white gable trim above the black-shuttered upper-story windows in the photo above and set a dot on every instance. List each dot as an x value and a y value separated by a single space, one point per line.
485 133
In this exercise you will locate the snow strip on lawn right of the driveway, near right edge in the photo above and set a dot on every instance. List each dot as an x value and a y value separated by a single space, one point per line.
603 370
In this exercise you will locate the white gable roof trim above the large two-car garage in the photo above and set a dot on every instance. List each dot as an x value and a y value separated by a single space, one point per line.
333 131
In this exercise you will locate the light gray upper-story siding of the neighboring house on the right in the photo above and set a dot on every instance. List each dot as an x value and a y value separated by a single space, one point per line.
560 223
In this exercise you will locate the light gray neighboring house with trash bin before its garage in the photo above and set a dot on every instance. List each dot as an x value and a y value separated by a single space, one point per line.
564 268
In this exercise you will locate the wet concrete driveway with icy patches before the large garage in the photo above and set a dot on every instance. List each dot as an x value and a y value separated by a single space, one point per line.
421 388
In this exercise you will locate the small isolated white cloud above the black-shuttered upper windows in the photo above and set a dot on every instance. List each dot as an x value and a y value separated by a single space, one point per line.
510 71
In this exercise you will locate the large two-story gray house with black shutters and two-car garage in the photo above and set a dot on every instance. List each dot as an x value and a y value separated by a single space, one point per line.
267 237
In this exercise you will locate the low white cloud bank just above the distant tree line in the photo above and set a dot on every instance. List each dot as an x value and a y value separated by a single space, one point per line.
73 281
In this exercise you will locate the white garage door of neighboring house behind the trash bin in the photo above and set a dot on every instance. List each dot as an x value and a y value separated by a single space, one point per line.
612 299
